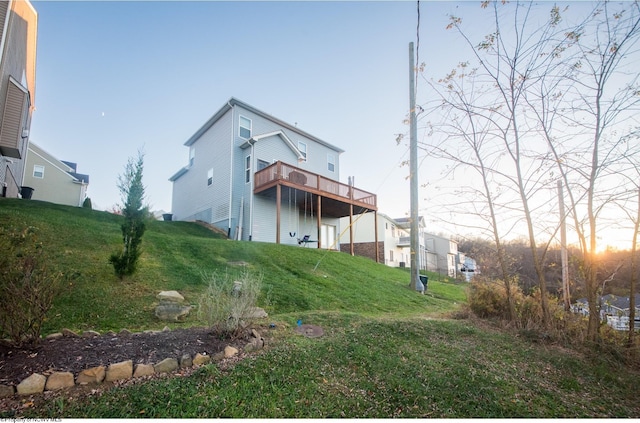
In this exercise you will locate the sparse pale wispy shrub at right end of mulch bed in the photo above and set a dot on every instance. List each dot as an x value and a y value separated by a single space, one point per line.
228 304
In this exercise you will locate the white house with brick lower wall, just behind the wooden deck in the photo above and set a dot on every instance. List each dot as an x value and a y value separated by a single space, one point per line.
390 250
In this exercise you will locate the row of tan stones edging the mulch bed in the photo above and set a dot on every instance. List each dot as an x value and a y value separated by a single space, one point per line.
37 383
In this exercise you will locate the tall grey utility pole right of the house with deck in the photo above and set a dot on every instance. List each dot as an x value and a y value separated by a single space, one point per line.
416 284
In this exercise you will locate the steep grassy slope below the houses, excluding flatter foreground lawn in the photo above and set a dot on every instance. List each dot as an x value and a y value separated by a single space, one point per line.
176 255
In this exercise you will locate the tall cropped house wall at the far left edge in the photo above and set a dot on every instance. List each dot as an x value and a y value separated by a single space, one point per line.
18 33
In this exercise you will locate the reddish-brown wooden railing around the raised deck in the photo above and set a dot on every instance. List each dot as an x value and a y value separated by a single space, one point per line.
281 172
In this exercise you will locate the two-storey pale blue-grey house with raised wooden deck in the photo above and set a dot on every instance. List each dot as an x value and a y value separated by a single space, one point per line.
259 178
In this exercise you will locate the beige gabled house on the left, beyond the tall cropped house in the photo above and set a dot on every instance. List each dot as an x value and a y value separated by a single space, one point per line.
54 180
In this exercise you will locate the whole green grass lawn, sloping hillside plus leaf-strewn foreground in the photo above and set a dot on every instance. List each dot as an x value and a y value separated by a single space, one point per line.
387 351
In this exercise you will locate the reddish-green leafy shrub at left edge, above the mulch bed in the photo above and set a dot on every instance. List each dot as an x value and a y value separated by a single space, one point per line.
27 286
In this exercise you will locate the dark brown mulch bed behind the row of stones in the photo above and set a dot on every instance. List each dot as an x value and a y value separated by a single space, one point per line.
74 354
